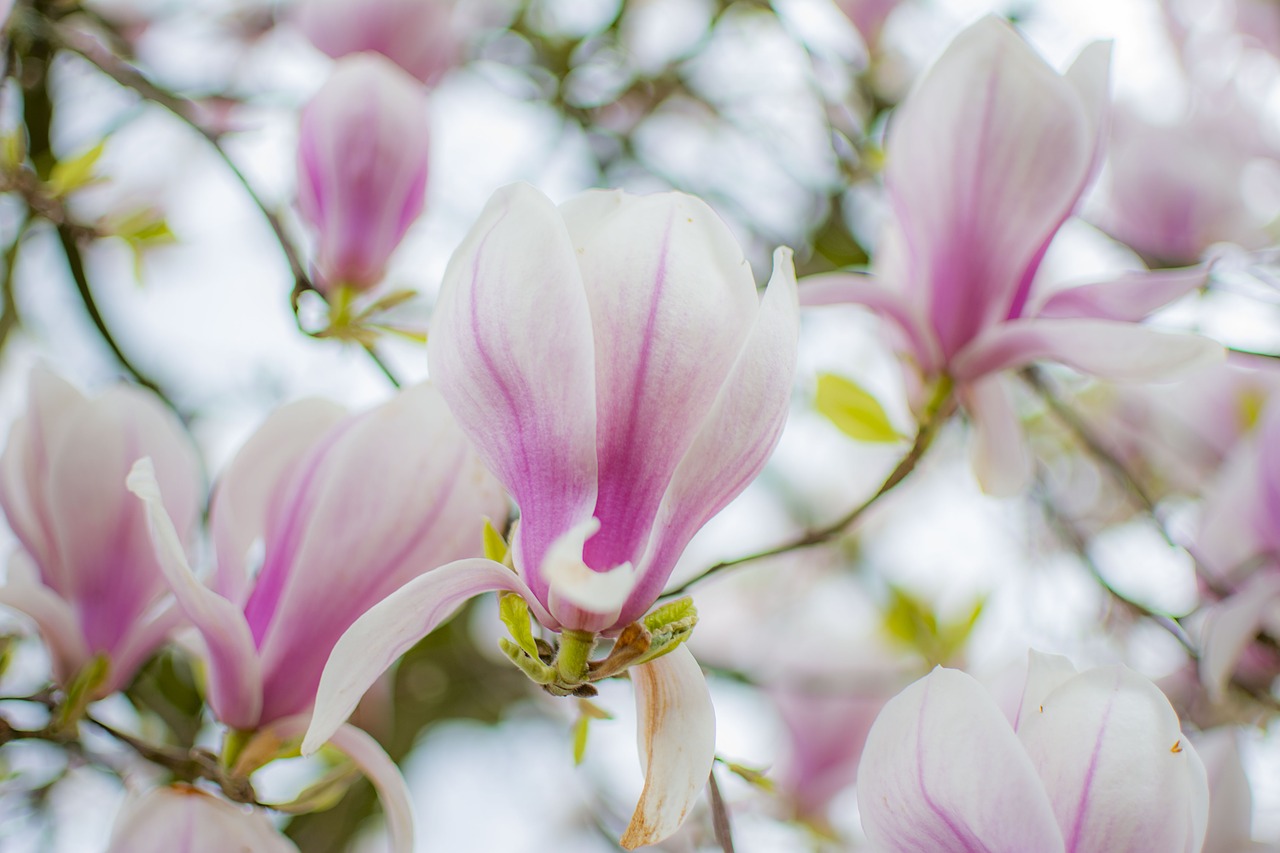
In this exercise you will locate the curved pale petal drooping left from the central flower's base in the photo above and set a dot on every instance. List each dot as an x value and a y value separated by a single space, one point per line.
391 628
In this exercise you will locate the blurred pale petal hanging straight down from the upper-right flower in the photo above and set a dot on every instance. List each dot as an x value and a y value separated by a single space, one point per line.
998 451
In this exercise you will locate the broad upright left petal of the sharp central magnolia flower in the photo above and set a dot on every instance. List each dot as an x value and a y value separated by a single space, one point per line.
513 353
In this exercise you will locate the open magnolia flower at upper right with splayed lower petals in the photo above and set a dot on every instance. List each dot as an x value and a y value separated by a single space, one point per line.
986 161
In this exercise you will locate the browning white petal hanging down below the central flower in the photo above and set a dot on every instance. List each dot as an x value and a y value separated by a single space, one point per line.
678 743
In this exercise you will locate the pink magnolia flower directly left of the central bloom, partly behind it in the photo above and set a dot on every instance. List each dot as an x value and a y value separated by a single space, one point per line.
349 508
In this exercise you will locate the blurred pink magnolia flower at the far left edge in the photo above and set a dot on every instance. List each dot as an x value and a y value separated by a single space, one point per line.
88 576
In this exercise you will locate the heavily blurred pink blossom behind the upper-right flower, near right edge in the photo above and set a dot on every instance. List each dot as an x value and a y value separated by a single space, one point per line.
1174 190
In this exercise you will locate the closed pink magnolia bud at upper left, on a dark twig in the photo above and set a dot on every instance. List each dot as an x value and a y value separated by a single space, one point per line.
363 162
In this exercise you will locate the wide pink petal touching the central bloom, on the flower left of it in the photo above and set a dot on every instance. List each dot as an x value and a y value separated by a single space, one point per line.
382 498
